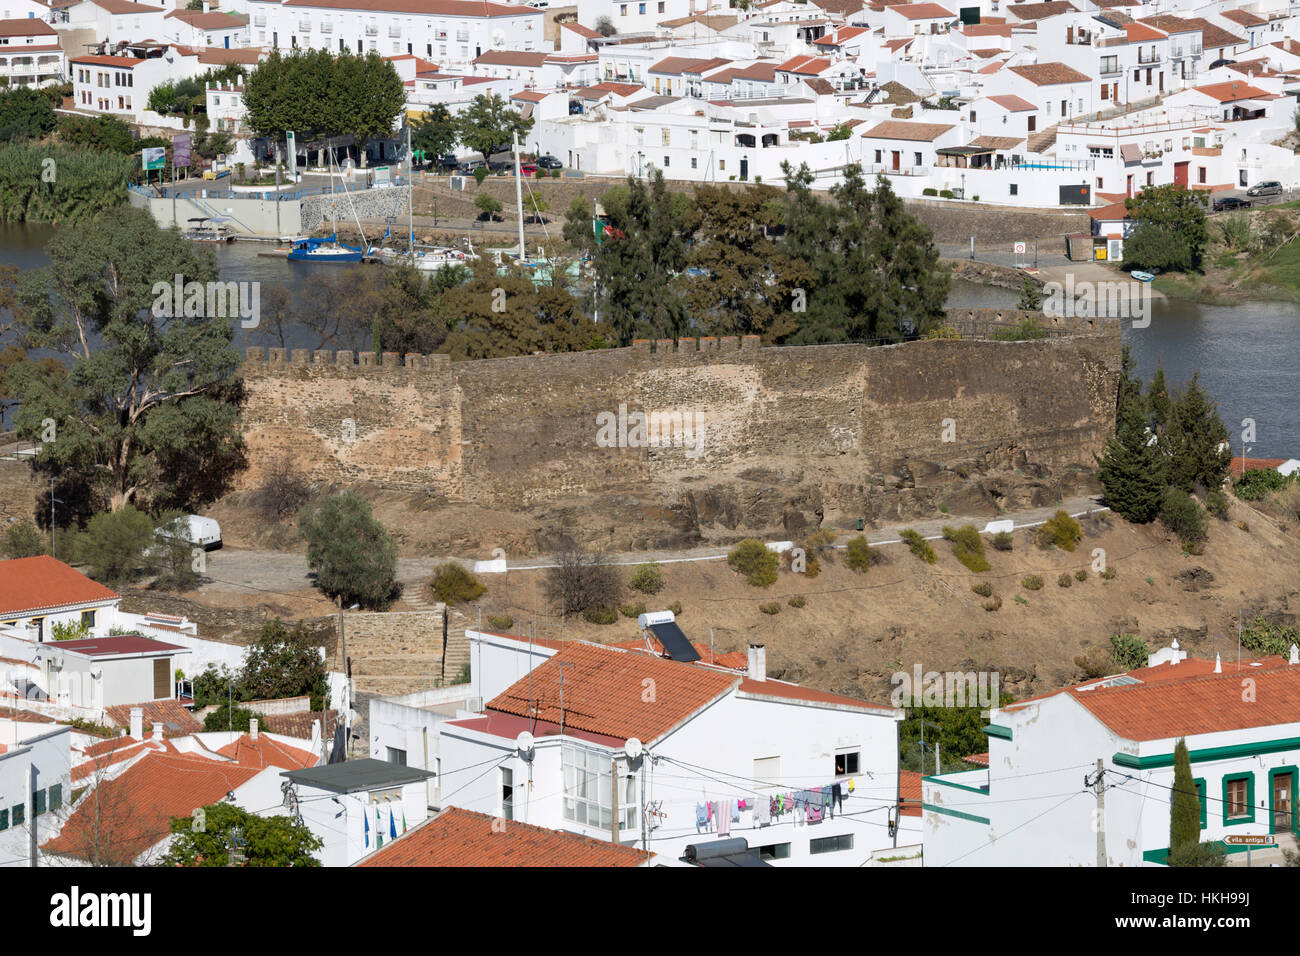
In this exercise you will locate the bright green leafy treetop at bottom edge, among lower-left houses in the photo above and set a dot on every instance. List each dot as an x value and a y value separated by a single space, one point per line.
261 841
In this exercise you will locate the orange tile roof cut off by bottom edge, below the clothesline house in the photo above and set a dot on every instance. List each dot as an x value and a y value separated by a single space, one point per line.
465 838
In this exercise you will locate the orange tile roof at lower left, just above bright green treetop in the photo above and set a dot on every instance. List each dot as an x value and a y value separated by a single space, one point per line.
122 819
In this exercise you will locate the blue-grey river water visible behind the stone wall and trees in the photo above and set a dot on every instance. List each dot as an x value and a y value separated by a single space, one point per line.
1249 356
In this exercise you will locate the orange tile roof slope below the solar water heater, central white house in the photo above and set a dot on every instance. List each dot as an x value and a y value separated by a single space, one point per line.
606 693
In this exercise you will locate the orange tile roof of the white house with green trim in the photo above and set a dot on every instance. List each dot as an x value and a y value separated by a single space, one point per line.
1208 704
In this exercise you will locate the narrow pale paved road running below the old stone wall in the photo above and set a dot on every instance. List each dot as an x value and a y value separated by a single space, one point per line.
258 572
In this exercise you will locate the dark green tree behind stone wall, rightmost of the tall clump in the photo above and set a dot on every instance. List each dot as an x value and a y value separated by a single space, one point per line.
877 271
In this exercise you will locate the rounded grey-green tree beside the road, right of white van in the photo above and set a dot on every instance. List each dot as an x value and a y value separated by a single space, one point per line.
353 555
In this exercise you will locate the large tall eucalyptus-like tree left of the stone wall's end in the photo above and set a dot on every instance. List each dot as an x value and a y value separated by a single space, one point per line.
150 412
